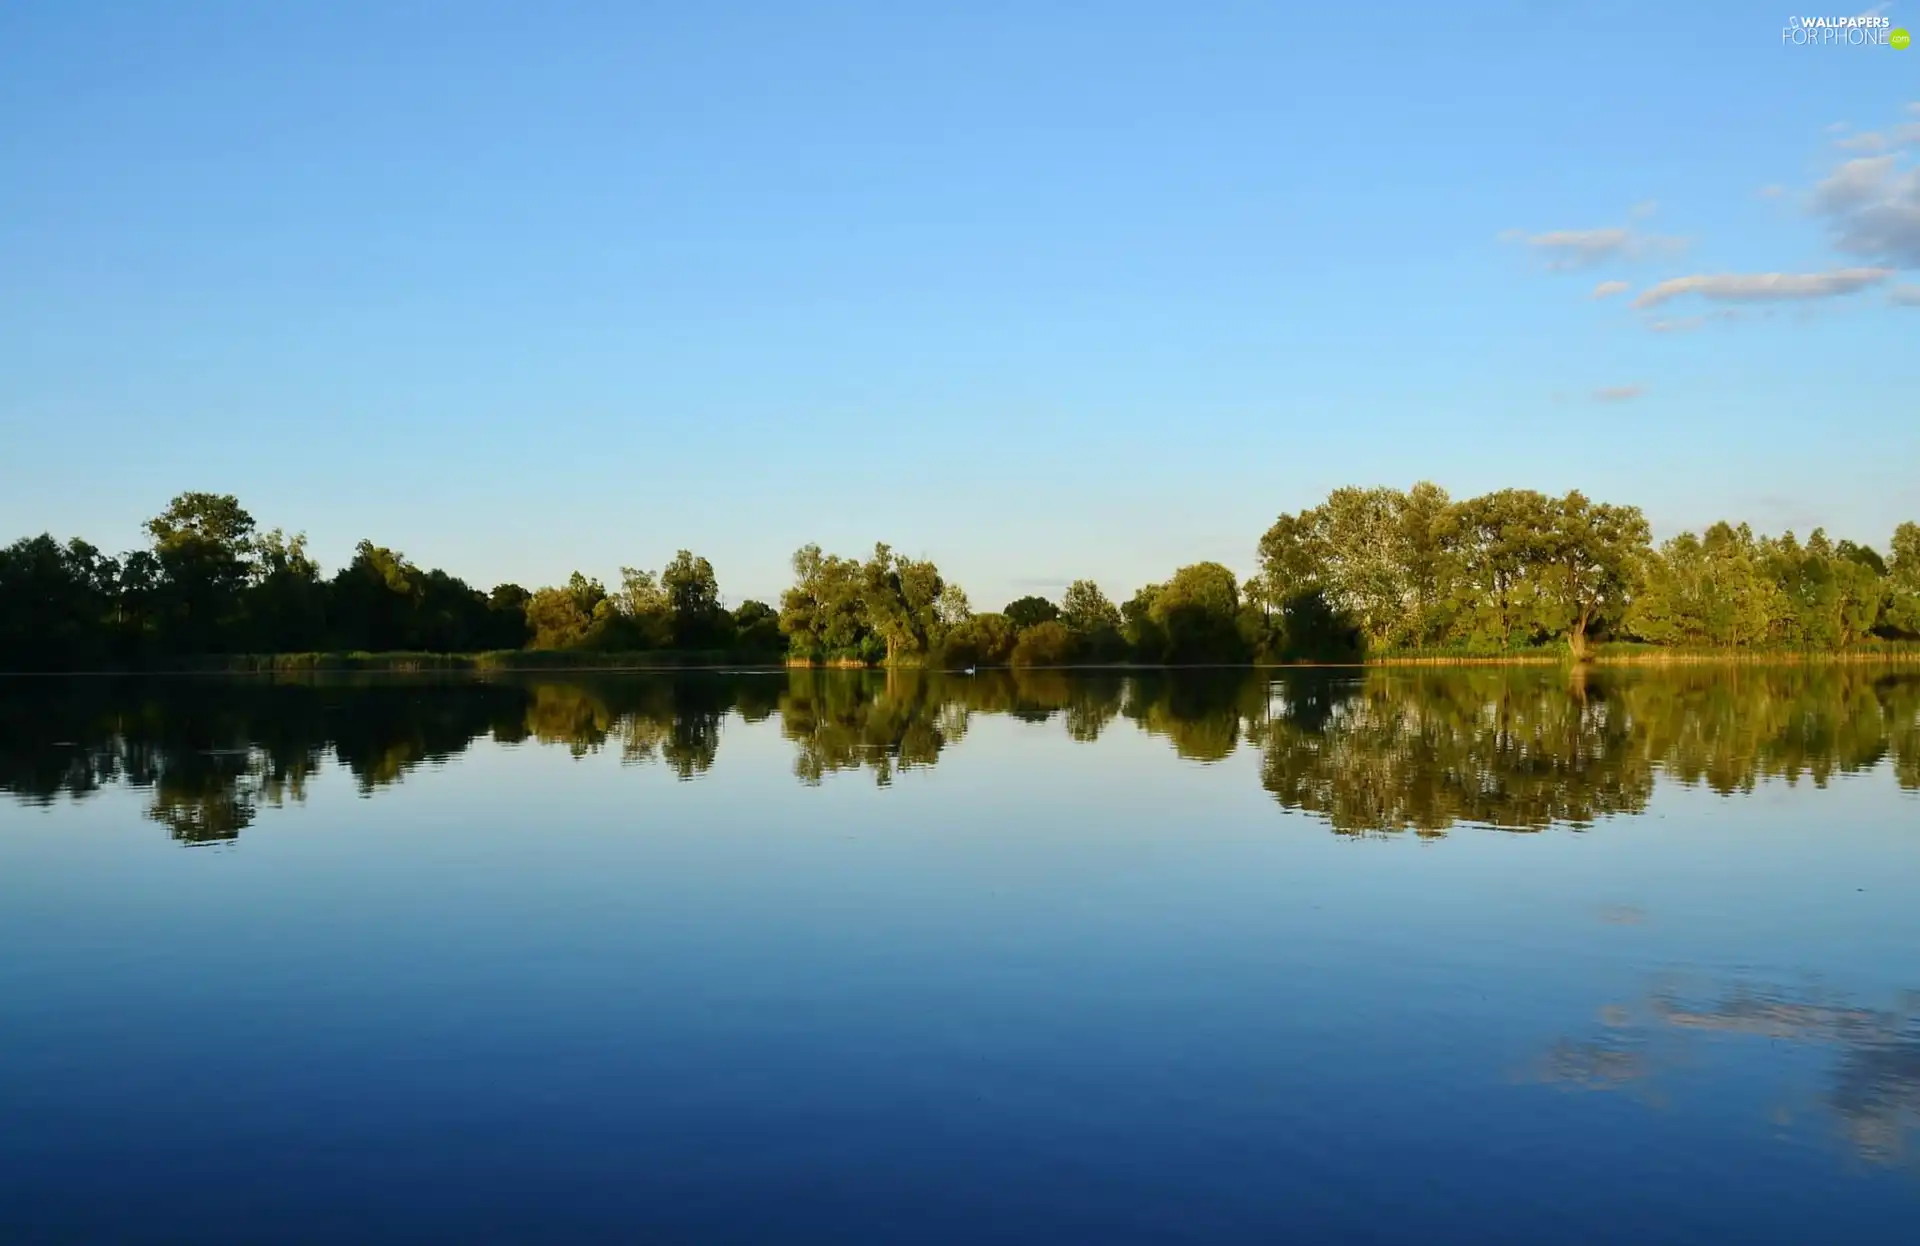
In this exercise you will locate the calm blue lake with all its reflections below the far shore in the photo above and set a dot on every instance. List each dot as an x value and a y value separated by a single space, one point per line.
1403 955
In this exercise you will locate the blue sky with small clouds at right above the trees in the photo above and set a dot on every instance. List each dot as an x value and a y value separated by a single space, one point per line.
1038 291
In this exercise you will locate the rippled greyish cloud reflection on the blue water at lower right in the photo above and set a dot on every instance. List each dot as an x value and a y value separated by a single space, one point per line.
1871 1088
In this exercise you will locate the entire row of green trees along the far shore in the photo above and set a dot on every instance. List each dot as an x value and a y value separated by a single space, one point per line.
1370 571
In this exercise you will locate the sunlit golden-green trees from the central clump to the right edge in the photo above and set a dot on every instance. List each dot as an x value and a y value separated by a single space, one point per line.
1378 571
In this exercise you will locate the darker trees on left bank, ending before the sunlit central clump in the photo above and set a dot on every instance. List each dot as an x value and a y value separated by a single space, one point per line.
210 583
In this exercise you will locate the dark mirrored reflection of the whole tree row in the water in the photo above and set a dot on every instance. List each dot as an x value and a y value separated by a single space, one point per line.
1368 754
